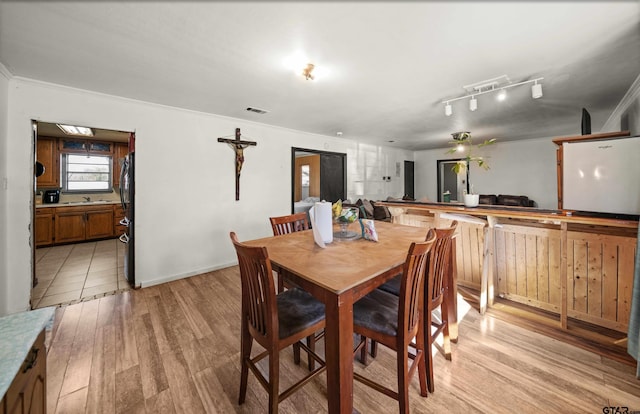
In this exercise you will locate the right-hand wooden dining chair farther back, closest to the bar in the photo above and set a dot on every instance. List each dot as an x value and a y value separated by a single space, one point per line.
440 267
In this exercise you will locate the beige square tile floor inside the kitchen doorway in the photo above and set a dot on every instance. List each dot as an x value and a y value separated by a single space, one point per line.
77 272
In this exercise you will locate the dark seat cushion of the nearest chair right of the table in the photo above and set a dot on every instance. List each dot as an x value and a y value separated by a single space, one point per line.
377 311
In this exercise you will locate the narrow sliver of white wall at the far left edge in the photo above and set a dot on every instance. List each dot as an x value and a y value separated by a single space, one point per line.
4 108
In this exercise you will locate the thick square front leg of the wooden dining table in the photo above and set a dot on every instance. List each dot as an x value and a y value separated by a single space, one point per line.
339 353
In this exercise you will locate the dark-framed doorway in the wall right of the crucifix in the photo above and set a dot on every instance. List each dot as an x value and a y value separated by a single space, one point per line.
316 175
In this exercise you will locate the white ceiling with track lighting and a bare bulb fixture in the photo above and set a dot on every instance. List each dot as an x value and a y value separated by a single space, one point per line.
389 64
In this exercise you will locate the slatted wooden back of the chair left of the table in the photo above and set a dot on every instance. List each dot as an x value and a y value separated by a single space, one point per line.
259 305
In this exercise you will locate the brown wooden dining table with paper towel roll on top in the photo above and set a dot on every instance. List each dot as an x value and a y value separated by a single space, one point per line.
339 275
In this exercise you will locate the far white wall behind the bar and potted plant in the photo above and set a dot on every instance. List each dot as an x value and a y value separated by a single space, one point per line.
517 168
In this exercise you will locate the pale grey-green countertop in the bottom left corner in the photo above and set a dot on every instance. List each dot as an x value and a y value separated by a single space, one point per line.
18 332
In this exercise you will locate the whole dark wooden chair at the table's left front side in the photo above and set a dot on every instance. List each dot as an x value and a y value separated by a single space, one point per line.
274 322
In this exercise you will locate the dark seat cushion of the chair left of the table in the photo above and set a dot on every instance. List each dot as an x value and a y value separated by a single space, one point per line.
297 310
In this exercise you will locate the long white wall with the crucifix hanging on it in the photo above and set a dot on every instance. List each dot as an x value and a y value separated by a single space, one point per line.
185 191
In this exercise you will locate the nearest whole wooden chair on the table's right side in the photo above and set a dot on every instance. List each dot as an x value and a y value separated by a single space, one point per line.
395 321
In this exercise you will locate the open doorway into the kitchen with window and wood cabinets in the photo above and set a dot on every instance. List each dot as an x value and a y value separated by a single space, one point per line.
76 251
